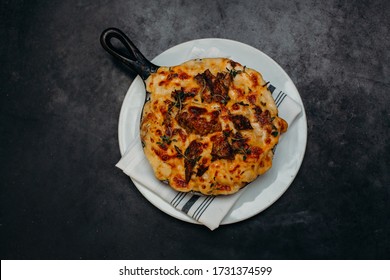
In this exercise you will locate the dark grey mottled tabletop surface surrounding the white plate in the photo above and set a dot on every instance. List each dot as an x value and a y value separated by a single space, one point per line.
62 197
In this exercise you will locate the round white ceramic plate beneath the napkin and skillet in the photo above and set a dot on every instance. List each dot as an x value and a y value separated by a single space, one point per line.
291 149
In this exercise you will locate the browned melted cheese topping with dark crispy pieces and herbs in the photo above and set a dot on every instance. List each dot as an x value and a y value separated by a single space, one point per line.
210 126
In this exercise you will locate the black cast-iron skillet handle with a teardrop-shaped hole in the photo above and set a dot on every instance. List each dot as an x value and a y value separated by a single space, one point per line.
133 59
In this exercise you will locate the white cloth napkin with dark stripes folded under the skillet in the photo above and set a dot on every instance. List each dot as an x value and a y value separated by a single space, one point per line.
206 210
